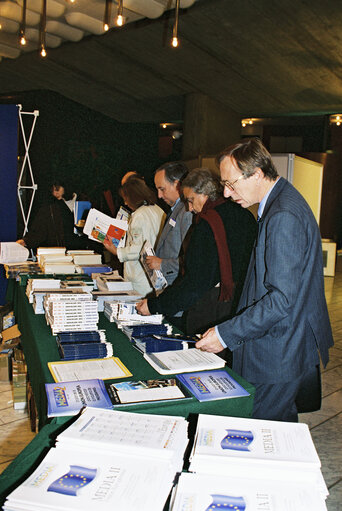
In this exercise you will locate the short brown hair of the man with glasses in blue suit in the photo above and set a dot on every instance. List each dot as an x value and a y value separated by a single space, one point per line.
250 154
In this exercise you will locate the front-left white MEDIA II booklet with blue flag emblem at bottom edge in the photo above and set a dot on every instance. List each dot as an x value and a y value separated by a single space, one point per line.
71 480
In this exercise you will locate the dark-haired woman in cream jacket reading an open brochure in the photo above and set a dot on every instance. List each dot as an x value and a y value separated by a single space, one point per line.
145 223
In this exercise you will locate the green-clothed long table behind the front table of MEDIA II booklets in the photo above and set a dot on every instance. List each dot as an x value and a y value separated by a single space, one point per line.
40 347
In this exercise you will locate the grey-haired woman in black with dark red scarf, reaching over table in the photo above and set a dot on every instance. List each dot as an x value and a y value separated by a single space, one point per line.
216 258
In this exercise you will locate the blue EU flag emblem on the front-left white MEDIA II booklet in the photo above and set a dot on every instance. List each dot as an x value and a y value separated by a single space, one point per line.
73 481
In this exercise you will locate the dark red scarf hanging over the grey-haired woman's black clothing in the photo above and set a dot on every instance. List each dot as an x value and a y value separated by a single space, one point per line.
210 215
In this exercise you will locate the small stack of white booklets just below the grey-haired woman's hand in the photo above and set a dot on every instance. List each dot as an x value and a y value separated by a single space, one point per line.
125 314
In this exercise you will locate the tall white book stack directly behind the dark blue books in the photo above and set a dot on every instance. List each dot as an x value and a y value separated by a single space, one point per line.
69 312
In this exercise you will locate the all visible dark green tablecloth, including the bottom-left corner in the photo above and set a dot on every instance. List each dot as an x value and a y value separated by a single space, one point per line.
40 348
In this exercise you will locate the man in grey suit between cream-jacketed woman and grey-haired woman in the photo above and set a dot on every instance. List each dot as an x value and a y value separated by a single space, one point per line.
167 180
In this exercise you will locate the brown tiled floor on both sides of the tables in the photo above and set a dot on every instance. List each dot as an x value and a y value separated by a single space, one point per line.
325 425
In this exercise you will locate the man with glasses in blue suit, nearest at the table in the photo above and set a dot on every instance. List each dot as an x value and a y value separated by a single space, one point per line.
282 325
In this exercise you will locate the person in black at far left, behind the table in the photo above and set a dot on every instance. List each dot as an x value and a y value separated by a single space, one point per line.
53 226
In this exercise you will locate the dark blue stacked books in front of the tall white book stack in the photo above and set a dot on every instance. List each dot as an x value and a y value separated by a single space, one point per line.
83 345
